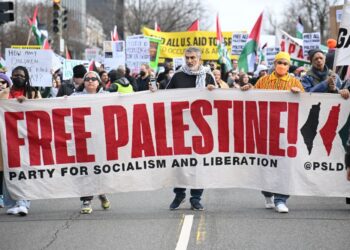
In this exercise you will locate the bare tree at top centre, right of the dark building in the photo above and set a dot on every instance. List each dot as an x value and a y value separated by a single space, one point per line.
174 15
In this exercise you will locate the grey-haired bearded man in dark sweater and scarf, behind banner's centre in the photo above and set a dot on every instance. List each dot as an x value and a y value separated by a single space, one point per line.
191 75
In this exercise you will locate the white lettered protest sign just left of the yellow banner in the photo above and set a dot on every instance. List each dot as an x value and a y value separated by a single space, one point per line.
137 52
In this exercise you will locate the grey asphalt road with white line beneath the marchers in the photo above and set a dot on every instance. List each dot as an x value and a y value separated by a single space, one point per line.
233 219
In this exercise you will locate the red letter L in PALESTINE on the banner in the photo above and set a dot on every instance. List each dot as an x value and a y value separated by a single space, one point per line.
160 130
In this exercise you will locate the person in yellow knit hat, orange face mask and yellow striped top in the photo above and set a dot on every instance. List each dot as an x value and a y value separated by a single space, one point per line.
279 79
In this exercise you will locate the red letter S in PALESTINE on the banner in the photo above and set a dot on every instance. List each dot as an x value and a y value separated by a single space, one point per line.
202 144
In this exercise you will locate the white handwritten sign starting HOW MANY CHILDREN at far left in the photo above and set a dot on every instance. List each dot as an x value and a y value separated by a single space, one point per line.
38 62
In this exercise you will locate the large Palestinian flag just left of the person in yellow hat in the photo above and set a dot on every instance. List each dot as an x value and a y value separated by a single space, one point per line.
248 55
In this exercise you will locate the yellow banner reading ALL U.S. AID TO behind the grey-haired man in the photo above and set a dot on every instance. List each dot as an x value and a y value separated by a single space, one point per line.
173 44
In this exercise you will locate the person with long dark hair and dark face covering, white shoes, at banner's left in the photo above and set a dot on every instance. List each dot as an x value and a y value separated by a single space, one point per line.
21 90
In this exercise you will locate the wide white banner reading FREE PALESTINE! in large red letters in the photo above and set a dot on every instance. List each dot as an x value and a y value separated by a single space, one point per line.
88 145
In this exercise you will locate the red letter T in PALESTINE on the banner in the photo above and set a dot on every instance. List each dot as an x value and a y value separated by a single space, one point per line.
223 124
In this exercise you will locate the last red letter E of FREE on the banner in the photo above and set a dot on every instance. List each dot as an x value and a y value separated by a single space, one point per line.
80 135
